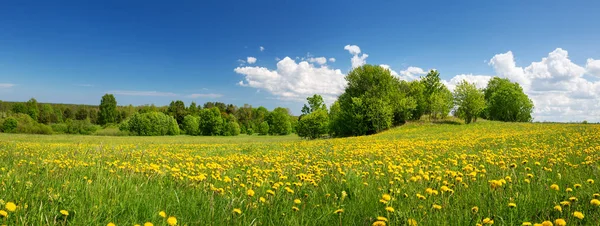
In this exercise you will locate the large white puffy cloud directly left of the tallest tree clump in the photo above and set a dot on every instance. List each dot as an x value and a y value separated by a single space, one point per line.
295 80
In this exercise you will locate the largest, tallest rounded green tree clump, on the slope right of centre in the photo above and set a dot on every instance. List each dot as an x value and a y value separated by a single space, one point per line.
373 101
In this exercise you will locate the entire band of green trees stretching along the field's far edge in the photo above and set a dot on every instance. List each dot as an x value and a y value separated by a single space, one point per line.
373 101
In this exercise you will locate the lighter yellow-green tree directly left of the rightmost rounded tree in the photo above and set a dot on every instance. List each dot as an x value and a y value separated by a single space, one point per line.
469 100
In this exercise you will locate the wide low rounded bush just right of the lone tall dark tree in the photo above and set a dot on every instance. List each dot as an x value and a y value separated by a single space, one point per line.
151 124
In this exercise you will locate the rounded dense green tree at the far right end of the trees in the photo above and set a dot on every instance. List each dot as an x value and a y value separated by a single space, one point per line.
506 101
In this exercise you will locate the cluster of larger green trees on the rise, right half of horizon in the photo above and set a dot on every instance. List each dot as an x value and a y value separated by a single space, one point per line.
374 100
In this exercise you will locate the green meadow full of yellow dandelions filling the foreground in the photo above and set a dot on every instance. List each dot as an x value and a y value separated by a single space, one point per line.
487 173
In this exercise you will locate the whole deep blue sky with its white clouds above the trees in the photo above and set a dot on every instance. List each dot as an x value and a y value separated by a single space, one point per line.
155 52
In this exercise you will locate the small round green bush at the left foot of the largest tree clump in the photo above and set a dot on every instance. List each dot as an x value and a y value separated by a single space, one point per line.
314 124
